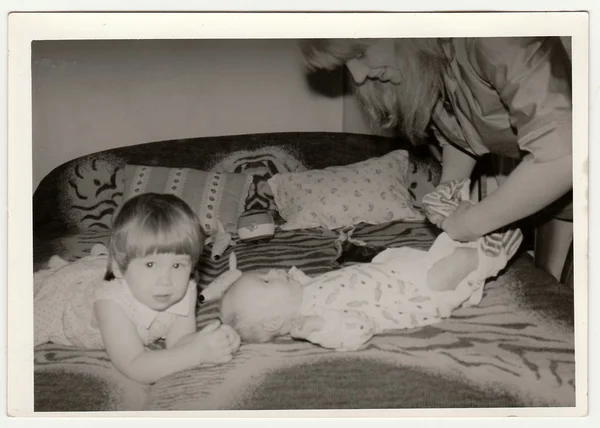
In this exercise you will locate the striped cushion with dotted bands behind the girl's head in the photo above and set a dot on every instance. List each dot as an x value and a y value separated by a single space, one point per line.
212 195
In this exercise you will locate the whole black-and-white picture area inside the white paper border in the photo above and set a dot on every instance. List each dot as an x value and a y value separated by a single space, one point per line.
303 223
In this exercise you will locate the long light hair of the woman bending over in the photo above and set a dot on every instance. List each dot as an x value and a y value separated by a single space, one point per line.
406 107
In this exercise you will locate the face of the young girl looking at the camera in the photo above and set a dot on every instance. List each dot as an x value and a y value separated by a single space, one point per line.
159 280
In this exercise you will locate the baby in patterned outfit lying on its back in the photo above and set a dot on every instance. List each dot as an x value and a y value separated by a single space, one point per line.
343 309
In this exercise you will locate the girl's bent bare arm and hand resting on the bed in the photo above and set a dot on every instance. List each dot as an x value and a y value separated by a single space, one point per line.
127 352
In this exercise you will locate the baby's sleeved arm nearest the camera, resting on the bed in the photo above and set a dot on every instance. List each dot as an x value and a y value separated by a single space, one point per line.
340 330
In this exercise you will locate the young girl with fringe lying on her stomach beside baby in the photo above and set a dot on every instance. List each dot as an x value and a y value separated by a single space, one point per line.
140 292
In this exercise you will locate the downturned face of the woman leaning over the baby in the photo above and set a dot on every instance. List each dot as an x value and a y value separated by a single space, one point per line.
378 63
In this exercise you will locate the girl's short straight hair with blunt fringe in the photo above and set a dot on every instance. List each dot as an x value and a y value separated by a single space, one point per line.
154 223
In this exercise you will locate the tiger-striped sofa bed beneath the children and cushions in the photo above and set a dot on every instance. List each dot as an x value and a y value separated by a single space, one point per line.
515 349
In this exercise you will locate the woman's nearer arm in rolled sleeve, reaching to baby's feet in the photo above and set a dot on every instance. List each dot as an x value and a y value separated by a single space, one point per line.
531 76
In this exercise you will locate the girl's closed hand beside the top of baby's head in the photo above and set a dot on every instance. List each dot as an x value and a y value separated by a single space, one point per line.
215 343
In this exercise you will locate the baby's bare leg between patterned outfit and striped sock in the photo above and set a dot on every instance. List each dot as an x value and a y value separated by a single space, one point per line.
448 272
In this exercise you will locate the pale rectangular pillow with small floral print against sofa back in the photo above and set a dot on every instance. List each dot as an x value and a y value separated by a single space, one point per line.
374 191
